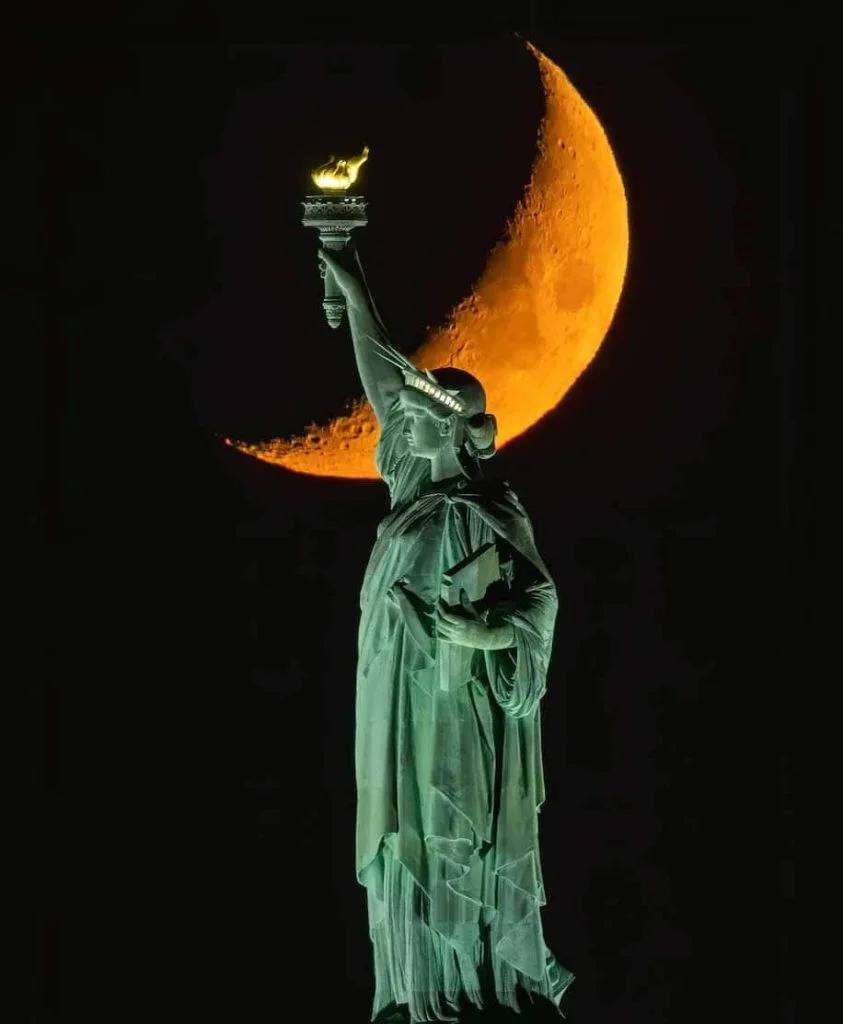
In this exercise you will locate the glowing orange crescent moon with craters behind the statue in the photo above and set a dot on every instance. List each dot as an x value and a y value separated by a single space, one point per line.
541 310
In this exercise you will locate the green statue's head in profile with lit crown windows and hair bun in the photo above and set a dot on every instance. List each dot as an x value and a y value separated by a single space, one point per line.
448 412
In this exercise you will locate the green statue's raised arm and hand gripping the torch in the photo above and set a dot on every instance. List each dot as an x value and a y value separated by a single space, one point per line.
381 375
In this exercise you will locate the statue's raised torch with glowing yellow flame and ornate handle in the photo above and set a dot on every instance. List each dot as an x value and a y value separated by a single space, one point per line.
335 215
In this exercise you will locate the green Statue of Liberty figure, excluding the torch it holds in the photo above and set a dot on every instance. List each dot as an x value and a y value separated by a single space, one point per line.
456 631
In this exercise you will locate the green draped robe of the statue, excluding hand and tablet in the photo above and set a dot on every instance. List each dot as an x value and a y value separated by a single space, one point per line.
450 779
